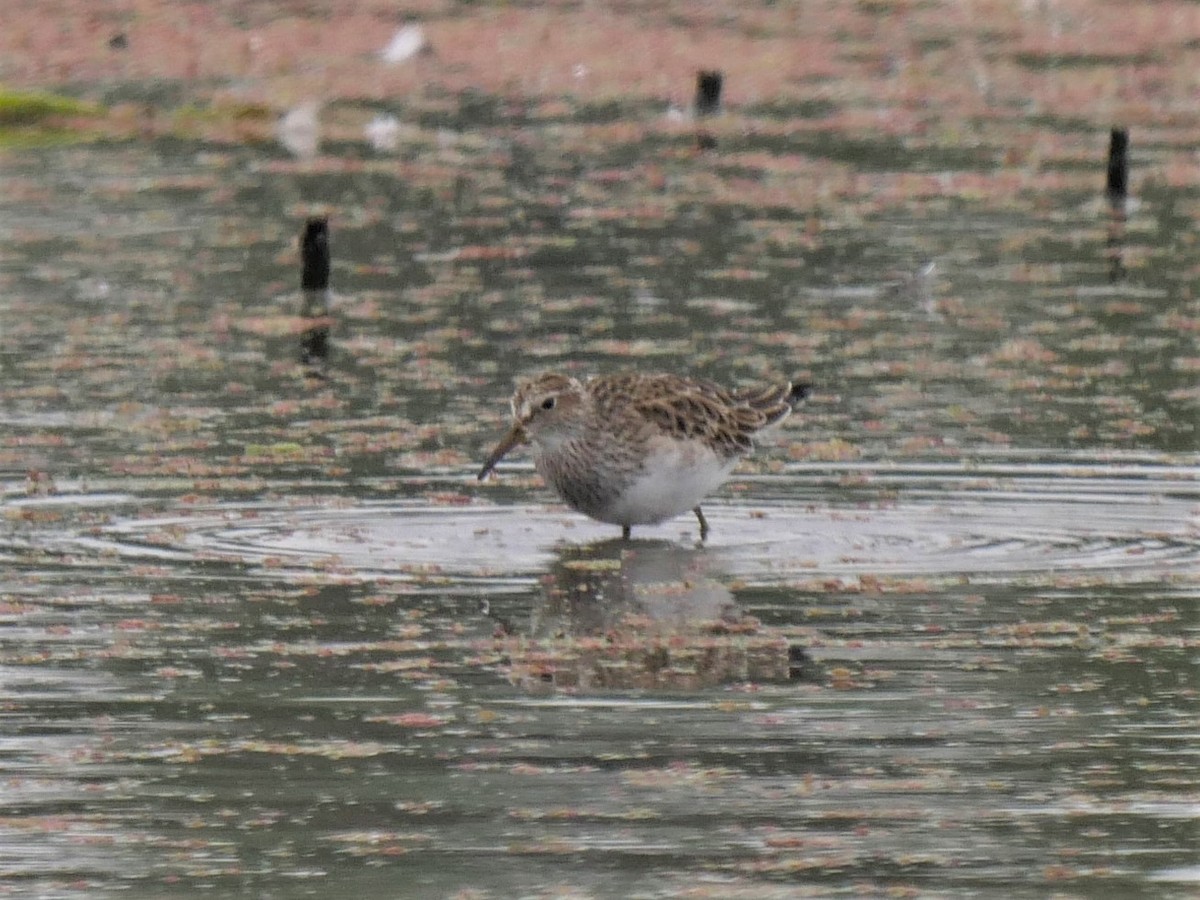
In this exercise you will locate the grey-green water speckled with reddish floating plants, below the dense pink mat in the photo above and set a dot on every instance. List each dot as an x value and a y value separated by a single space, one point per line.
262 633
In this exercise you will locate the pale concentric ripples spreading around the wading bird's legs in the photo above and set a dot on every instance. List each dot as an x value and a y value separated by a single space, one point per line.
999 524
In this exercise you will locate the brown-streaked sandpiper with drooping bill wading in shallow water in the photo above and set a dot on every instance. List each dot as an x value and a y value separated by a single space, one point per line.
639 449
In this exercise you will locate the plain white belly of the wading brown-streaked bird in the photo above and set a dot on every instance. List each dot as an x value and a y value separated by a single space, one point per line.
676 478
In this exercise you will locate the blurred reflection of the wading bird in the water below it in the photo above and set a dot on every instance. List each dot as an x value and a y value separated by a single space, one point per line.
650 615
